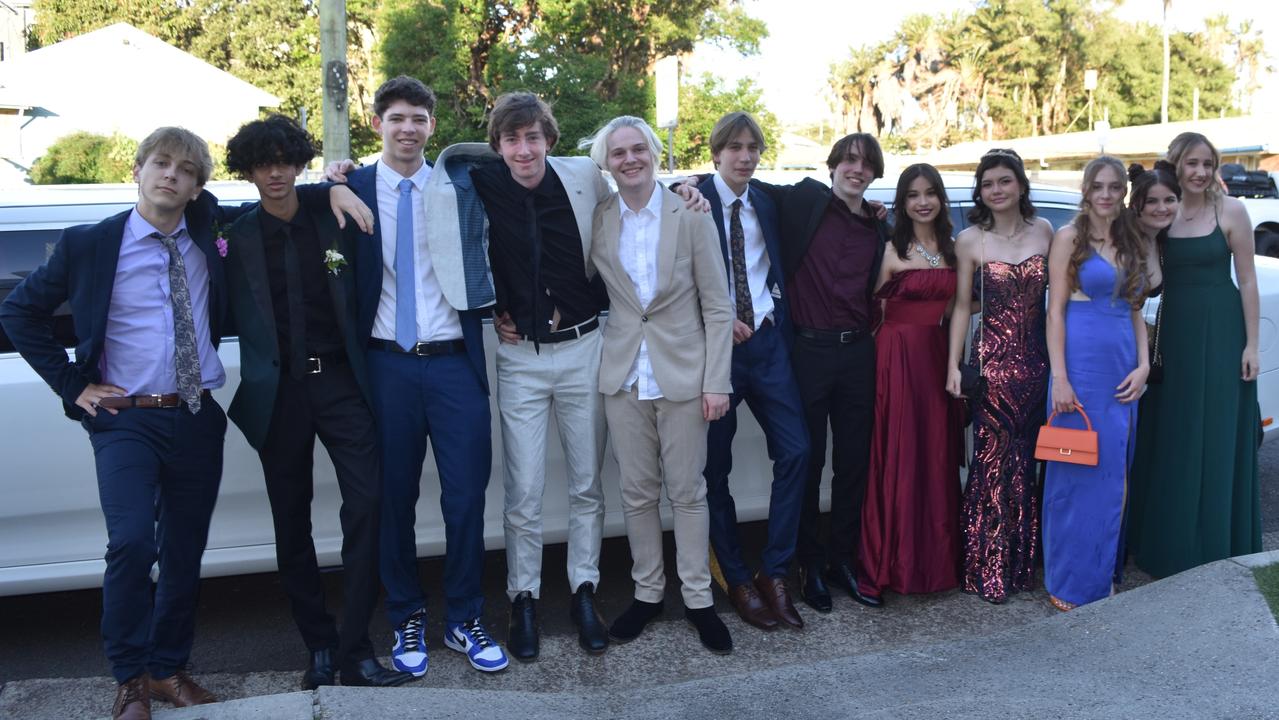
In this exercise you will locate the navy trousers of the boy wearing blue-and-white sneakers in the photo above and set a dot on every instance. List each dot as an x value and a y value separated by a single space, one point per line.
435 398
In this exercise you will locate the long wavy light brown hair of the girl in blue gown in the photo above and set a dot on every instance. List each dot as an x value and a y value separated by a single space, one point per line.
1125 233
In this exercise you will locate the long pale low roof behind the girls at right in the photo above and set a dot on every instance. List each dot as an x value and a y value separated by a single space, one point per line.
1250 135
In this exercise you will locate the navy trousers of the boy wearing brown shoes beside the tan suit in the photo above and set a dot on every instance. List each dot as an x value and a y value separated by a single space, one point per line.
764 379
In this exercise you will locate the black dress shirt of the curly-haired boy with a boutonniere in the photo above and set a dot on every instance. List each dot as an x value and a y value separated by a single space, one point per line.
319 325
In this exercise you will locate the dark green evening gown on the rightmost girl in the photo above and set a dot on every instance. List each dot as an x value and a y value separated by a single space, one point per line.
1195 493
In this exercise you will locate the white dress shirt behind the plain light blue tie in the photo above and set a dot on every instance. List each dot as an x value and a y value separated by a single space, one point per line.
437 320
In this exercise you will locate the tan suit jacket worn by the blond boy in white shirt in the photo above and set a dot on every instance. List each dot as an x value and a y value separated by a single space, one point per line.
689 325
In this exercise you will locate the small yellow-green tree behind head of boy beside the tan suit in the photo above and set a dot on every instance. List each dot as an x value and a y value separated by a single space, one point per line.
704 103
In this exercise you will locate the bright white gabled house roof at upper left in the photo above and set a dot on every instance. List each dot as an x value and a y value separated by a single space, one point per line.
117 57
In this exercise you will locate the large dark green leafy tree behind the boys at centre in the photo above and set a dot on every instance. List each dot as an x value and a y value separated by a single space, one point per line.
590 59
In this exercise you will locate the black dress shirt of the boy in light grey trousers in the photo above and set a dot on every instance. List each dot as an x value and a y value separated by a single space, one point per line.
537 253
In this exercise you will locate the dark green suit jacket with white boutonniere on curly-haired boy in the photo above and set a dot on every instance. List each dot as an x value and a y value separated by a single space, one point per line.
250 300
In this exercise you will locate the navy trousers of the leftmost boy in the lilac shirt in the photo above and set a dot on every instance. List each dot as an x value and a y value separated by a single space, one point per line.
158 478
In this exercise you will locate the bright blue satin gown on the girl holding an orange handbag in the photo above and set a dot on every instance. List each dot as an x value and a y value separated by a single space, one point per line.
1084 506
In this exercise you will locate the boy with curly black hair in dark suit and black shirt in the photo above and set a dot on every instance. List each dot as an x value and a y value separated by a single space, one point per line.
302 375
